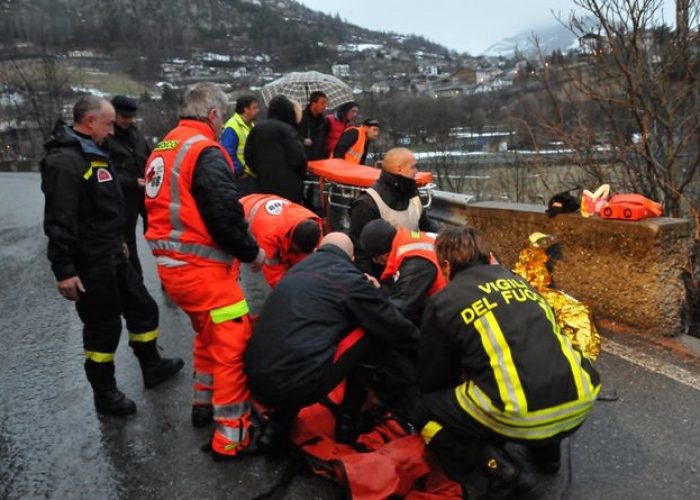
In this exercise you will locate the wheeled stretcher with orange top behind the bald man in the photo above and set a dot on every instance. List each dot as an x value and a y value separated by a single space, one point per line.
340 182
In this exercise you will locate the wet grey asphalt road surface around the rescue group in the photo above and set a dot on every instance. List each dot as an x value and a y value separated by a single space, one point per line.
53 445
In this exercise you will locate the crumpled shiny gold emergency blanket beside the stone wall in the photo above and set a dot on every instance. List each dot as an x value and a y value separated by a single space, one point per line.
573 316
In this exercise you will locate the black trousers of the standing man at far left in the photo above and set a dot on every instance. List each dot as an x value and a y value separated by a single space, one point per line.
114 289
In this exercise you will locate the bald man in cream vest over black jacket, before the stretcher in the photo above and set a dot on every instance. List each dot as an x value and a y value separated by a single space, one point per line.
394 198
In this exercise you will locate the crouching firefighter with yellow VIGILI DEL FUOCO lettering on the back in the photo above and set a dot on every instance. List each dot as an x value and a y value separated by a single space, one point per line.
495 367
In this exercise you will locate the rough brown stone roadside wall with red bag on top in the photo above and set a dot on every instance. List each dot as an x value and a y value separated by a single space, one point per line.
629 272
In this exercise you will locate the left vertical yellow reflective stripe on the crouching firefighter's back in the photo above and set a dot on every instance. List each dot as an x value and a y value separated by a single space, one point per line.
509 387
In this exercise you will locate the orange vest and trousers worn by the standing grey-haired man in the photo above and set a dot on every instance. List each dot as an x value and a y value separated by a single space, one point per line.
198 276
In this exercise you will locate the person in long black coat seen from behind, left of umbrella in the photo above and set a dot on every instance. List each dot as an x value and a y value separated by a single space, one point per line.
274 153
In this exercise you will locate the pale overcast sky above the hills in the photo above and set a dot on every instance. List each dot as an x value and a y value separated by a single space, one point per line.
463 25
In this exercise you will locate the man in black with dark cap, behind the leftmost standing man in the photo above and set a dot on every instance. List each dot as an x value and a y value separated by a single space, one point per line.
128 152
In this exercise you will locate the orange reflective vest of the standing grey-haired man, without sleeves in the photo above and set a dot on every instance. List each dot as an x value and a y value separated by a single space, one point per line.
175 228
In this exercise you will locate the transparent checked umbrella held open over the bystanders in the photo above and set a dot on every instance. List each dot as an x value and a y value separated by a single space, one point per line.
299 85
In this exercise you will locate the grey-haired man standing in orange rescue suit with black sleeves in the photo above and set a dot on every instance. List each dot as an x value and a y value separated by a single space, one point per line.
196 228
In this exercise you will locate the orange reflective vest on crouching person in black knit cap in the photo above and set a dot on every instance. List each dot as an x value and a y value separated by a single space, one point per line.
409 244
